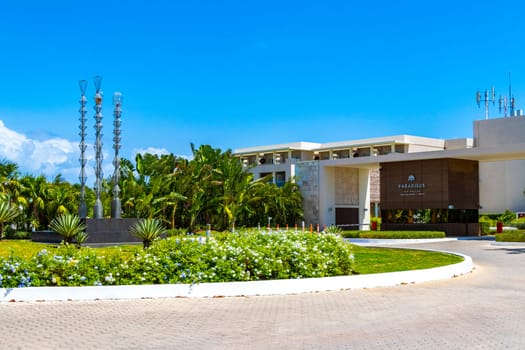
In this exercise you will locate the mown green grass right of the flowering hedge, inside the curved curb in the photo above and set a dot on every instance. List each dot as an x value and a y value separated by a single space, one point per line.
377 260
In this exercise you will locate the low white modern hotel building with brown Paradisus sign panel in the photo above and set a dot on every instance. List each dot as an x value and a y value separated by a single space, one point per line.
345 183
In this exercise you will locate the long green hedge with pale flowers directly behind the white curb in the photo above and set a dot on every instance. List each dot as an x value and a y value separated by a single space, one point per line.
244 256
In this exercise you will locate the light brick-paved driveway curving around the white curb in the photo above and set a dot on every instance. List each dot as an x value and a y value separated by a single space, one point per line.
482 310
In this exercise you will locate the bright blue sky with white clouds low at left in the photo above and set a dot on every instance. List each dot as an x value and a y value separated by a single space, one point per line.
236 74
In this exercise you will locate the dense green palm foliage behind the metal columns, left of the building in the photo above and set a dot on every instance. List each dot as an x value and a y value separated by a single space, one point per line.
211 188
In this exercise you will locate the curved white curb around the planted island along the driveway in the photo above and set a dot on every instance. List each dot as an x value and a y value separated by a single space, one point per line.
232 289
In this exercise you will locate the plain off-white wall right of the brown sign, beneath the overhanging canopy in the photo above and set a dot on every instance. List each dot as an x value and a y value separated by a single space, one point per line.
501 186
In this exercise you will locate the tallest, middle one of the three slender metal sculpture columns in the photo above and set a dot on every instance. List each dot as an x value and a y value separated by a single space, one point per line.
98 210
